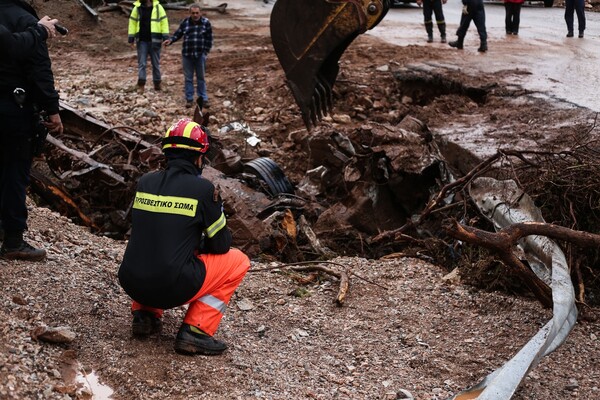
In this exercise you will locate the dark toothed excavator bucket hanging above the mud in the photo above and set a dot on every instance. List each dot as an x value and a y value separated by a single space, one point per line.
309 37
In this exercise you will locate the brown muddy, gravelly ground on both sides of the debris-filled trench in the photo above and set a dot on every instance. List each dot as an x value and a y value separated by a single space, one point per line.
403 327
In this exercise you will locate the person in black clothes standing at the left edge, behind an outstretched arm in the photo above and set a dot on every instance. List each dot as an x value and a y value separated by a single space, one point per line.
26 84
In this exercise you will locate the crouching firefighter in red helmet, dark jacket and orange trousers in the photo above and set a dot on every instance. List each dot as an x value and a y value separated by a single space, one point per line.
179 250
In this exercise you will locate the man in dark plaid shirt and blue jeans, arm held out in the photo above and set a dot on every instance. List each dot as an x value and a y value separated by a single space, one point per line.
196 31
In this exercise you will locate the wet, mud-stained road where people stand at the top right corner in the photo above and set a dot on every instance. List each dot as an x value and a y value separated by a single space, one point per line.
557 66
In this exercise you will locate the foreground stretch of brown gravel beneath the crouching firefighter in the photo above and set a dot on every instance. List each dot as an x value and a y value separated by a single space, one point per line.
415 330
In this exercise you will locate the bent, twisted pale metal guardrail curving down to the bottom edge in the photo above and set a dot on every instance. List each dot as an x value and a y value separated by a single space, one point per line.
505 204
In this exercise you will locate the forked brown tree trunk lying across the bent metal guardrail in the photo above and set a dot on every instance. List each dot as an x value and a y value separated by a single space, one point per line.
503 241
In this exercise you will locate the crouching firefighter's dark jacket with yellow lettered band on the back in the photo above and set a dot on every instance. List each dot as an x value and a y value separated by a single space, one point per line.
176 215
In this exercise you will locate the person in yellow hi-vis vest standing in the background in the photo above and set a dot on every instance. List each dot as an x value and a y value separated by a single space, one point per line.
148 28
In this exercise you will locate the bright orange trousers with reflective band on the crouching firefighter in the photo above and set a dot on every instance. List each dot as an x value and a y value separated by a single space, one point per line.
224 273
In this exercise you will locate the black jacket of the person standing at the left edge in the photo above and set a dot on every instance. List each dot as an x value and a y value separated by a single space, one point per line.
35 73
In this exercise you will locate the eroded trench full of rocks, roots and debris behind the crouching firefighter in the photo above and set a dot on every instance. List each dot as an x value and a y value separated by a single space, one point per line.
357 182
